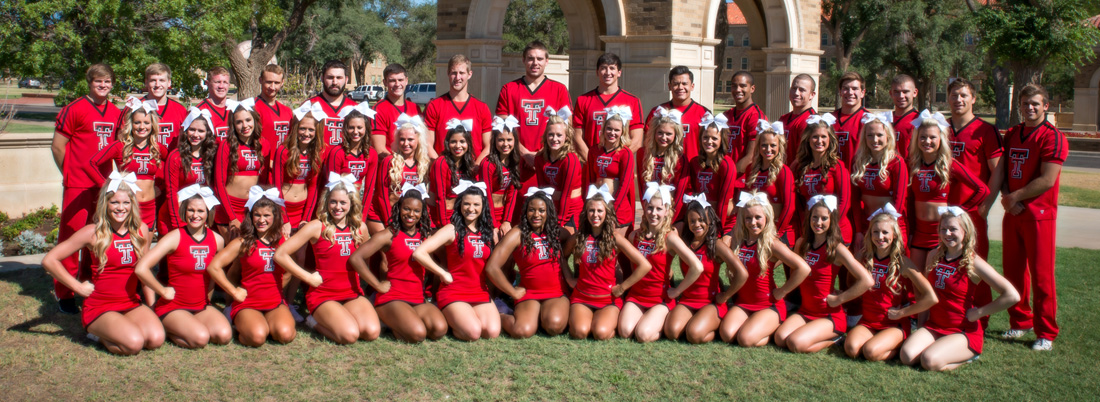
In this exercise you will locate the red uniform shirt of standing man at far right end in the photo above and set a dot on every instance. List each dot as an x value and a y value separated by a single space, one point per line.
1029 149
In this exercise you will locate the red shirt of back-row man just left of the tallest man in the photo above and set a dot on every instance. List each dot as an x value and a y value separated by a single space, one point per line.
443 110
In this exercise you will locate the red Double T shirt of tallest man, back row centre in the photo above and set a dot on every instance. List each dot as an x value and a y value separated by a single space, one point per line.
518 100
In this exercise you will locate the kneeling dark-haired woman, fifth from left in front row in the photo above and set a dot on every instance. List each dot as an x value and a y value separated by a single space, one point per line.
401 296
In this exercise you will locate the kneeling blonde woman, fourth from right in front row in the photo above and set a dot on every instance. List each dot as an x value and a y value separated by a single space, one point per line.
761 307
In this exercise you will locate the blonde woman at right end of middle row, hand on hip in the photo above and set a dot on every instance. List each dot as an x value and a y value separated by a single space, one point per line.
936 182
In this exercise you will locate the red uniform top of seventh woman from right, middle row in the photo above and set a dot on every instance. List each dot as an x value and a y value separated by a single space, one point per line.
618 165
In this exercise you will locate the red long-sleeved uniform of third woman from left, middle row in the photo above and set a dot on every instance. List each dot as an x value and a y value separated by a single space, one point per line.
248 165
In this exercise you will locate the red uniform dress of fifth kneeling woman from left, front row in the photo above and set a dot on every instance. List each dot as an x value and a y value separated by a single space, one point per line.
405 275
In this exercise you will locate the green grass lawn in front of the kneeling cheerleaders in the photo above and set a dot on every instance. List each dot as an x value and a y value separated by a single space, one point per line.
45 356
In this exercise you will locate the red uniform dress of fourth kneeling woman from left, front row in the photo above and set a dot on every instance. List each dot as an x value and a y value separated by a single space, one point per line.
340 283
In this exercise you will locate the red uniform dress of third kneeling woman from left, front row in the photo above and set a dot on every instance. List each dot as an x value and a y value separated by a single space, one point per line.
261 277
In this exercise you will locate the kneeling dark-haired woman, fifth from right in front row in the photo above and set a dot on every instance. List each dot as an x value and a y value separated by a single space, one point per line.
699 311
